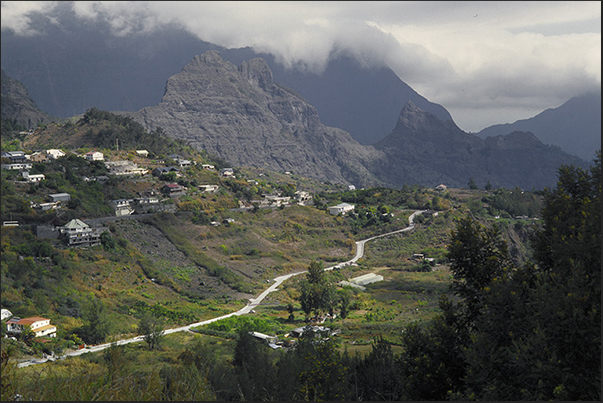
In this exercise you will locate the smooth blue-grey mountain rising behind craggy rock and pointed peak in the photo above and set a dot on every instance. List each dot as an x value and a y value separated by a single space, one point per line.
363 101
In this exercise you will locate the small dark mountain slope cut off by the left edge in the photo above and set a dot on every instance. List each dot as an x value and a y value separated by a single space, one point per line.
18 106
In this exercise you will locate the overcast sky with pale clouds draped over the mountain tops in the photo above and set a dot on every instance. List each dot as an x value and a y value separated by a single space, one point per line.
485 62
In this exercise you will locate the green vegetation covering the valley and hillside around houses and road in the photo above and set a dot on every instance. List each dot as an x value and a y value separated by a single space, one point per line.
492 317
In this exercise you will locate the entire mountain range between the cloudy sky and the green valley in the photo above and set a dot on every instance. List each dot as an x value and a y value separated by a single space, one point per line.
336 126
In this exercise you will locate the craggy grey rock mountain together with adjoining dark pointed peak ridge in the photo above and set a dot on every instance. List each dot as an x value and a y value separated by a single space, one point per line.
242 115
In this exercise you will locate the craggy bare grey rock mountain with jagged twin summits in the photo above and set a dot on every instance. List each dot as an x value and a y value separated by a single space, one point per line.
242 116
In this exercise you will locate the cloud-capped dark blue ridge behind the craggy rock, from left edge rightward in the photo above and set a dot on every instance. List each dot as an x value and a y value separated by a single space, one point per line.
73 67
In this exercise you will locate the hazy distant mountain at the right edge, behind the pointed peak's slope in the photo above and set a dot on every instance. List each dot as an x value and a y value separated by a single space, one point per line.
574 126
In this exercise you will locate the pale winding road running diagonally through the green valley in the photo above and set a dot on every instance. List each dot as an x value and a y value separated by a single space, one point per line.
253 302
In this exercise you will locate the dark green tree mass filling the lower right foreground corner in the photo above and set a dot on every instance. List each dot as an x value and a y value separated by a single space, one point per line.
540 338
